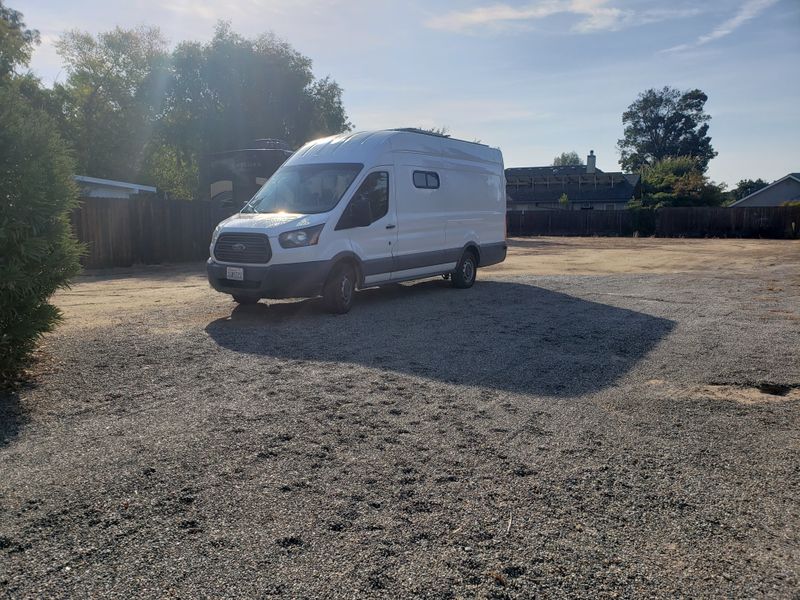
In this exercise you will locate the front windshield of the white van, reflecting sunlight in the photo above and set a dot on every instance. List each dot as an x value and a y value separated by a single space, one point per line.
304 189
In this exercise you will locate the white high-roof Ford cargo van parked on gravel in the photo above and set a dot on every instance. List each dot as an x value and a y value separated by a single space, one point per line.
364 209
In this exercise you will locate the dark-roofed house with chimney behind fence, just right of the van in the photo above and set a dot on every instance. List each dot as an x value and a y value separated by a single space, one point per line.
586 187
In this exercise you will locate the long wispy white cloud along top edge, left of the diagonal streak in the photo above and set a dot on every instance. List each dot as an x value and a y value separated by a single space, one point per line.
594 15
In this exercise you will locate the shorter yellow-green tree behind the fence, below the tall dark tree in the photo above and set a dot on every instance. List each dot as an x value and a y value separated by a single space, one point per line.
678 181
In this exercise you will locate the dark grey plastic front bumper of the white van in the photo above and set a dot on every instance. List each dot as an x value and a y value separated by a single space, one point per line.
299 280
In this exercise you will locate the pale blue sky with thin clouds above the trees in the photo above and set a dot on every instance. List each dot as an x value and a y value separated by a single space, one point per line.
534 78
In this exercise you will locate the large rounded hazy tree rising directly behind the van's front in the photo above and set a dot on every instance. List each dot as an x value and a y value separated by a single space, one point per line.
223 94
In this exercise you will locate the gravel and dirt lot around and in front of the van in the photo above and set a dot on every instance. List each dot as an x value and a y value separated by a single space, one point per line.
593 418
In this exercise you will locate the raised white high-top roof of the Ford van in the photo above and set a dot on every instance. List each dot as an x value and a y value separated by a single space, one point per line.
374 147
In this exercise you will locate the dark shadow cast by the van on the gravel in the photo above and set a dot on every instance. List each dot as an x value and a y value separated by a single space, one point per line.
502 335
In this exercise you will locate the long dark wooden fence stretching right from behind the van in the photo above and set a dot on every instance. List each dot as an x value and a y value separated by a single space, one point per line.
765 222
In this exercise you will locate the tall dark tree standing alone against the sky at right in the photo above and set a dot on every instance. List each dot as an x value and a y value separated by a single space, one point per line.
665 123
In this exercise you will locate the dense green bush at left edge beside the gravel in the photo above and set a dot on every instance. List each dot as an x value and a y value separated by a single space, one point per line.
38 253
